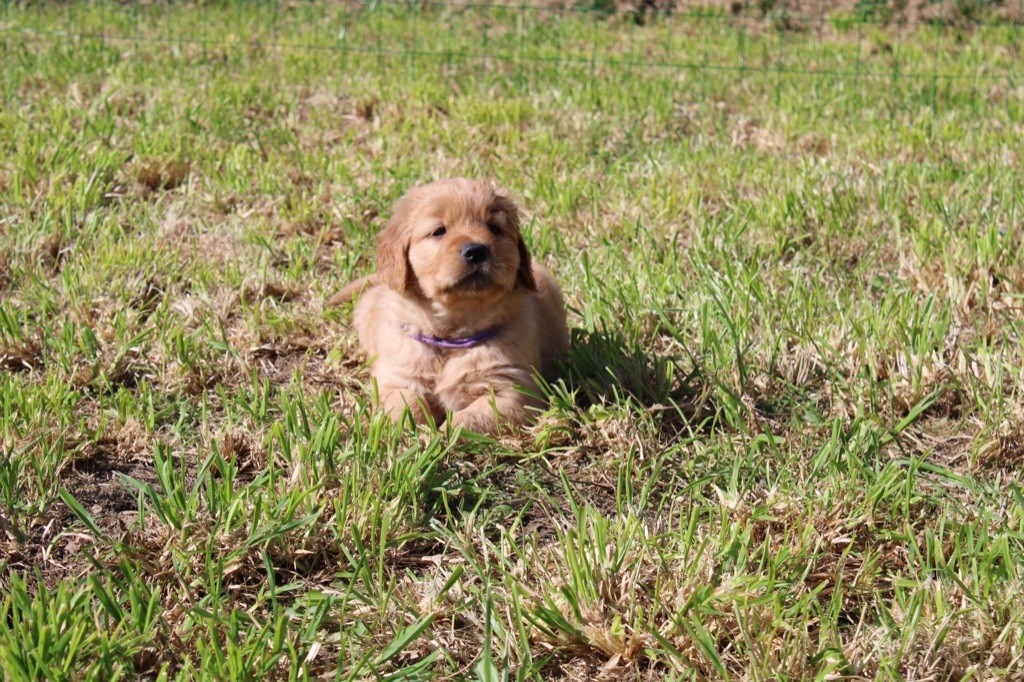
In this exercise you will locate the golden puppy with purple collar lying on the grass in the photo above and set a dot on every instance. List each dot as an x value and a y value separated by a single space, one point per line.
457 318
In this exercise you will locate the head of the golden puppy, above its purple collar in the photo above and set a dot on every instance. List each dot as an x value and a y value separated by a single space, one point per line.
455 241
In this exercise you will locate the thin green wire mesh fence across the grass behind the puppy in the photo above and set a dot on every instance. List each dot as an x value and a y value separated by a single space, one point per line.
887 56
